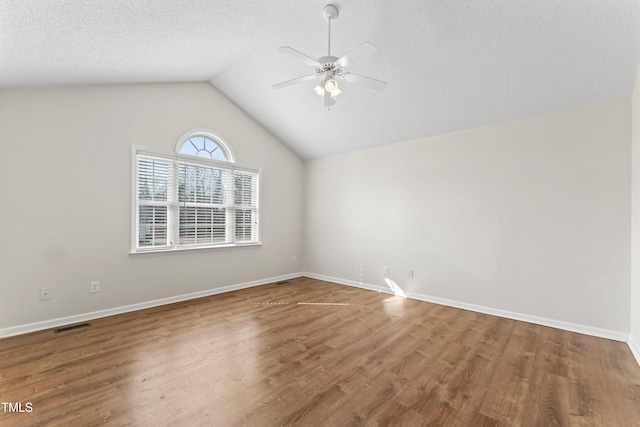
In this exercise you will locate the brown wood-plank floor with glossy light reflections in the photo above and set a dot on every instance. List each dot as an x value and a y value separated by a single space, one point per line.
312 353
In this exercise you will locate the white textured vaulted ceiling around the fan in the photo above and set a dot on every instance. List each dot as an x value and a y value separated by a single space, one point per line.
450 64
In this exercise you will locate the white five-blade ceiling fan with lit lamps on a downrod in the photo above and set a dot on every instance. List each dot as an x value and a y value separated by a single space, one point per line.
328 68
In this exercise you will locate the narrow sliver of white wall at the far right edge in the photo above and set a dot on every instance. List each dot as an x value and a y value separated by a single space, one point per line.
635 224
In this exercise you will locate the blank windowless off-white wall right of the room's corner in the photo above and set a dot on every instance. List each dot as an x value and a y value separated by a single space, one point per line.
530 217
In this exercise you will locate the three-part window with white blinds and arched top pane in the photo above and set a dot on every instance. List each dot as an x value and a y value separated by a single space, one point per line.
193 200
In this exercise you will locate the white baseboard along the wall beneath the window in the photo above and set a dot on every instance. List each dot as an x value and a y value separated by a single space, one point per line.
48 324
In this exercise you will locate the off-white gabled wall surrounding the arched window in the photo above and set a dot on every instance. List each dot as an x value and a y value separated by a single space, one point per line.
65 198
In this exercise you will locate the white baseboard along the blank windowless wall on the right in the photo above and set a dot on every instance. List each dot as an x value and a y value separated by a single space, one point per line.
558 324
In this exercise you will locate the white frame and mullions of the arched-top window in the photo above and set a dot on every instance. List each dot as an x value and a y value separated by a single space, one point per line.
173 204
